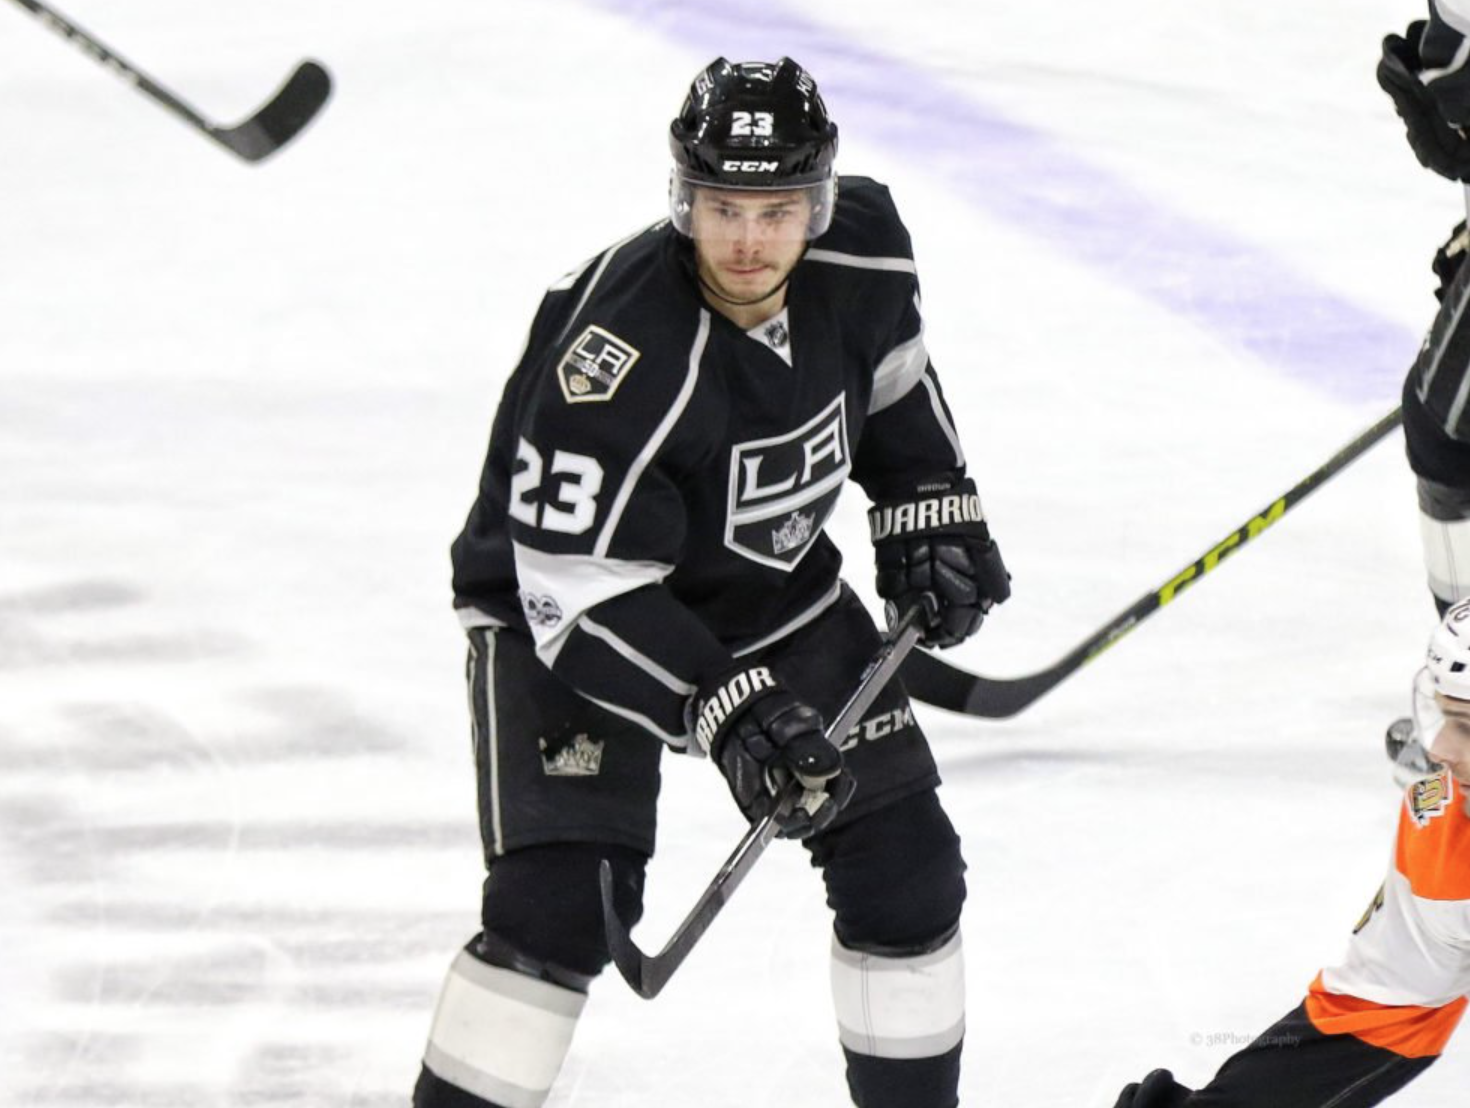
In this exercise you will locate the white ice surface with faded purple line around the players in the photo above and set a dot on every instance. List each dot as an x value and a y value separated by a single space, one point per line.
1174 258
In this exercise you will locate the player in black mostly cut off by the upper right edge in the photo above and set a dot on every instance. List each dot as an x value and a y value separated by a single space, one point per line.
1427 76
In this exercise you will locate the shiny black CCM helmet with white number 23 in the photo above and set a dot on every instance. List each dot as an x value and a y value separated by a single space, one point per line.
753 126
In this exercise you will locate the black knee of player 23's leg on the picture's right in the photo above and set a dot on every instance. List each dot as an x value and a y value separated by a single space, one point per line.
896 878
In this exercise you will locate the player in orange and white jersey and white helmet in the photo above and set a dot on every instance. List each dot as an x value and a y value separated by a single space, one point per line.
1381 1018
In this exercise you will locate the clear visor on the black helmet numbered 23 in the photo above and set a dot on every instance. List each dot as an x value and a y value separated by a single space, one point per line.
793 214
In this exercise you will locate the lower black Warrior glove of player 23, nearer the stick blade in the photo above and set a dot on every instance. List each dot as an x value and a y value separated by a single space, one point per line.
762 737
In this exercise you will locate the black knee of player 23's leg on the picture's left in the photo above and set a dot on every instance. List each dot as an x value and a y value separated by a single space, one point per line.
543 909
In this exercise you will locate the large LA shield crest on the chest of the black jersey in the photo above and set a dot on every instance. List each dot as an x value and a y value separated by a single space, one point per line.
783 490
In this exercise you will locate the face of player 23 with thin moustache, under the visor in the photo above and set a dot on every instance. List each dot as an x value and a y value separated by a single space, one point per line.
747 243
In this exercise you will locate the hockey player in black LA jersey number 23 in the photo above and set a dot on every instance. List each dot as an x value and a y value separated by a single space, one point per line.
646 568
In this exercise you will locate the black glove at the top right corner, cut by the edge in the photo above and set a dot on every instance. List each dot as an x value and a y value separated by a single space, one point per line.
1434 102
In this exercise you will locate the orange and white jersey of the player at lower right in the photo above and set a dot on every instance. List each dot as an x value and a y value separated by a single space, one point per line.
1405 981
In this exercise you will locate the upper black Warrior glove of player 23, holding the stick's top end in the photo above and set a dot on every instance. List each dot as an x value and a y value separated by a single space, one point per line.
939 544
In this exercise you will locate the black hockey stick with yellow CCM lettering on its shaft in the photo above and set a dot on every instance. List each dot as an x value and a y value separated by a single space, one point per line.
942 686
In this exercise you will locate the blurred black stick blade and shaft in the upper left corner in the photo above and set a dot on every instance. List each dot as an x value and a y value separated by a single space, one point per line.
295 105
